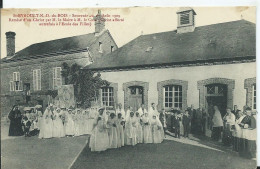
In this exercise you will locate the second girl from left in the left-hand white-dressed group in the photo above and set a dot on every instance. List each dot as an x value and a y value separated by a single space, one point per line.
58 129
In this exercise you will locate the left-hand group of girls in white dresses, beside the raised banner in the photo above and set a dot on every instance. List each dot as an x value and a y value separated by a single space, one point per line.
61 122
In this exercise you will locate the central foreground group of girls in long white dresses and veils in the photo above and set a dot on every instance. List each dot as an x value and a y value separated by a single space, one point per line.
119 128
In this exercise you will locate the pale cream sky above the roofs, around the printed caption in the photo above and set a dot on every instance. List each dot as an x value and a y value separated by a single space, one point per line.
137 21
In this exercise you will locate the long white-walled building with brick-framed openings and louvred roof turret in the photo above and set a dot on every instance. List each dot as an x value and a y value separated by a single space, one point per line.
200 66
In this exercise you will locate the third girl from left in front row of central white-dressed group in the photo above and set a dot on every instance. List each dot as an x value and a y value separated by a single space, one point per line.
120 130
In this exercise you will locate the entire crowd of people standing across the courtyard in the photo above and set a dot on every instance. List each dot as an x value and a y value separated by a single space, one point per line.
117 127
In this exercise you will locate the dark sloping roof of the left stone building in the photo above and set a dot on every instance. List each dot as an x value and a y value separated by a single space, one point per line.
57 46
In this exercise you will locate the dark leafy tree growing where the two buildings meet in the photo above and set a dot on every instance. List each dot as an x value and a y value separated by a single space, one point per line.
86 83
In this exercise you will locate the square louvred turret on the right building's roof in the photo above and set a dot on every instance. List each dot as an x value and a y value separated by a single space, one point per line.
186 20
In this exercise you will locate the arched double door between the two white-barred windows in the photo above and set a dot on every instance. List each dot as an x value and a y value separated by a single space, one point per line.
136 97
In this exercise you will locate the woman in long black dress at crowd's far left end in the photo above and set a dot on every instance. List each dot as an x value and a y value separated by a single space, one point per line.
15 117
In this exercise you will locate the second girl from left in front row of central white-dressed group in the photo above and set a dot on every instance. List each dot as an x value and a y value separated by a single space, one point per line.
112 131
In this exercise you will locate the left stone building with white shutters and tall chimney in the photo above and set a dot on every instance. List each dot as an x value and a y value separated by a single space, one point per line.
33 73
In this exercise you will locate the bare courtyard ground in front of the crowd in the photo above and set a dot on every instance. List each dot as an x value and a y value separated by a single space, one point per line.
59 153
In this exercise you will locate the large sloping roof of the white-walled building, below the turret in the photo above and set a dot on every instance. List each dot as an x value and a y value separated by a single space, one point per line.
229 40
